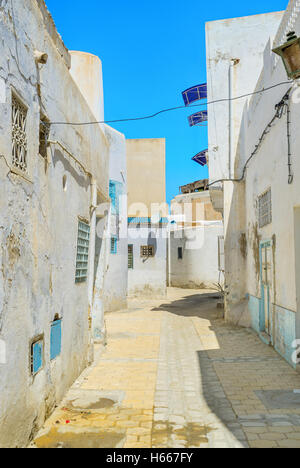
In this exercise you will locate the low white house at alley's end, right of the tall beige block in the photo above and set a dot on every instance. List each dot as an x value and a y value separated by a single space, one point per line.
195 240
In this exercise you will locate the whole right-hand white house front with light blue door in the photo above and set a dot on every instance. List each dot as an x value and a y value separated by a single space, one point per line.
261 211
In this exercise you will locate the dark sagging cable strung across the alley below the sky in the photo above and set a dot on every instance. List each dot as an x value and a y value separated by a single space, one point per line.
170 109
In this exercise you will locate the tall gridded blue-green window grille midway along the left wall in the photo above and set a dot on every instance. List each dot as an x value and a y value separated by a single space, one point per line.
82 252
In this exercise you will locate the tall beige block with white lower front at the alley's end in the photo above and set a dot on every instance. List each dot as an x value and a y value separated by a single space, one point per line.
147 217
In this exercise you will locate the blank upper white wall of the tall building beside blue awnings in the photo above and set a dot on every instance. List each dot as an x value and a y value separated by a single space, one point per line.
237 38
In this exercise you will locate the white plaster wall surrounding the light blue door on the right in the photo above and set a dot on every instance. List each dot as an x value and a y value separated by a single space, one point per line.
271 161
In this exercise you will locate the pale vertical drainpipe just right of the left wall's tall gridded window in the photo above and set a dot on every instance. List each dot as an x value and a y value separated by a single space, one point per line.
92 245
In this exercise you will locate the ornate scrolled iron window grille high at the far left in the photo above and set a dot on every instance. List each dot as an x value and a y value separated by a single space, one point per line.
19 137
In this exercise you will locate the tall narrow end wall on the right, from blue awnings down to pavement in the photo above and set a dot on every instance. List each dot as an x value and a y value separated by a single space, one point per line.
244 39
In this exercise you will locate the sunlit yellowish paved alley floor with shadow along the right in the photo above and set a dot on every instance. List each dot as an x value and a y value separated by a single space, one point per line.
174 375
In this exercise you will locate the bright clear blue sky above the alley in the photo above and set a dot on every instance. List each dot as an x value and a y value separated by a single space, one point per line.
151 51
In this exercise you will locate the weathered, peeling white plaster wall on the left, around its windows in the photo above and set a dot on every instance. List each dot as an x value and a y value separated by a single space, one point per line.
39 222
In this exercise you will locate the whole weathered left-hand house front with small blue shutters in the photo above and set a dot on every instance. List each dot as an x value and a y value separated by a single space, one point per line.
53 179
